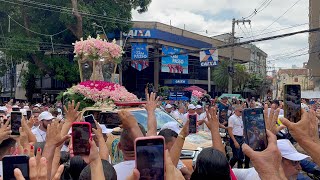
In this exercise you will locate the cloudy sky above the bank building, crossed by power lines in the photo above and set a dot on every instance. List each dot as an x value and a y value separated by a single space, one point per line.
214 17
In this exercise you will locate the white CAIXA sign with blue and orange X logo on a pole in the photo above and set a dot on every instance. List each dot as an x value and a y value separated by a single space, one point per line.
209 57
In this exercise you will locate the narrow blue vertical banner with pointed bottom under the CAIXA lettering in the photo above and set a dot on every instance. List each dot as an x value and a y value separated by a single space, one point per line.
139 53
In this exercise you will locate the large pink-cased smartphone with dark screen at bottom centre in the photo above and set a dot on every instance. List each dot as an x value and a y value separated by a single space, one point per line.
150 157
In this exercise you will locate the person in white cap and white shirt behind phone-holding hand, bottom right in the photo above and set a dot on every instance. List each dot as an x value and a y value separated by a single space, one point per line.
290 162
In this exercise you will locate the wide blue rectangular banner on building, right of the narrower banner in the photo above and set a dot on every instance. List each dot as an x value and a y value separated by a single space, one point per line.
175 63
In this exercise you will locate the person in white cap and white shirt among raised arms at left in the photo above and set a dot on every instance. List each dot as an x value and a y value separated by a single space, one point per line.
40 132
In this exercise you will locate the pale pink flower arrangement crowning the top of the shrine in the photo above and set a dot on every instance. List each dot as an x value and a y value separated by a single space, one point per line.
95 49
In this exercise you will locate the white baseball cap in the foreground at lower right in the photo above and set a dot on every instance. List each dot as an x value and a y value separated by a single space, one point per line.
288 151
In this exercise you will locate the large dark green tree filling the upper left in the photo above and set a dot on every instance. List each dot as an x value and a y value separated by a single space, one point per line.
37 31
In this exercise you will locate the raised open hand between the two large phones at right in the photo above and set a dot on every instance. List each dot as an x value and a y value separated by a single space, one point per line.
271 119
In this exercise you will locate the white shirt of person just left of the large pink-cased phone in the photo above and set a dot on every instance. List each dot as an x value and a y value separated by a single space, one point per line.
124 169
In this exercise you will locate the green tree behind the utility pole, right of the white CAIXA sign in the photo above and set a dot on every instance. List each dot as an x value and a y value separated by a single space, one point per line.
220 76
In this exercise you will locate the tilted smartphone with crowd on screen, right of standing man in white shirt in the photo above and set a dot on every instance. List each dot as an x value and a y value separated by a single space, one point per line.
255 129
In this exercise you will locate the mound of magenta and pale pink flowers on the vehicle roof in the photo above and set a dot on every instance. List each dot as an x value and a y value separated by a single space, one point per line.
98 93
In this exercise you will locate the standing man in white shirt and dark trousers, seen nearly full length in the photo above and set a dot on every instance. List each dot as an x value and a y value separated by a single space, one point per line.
235 130
